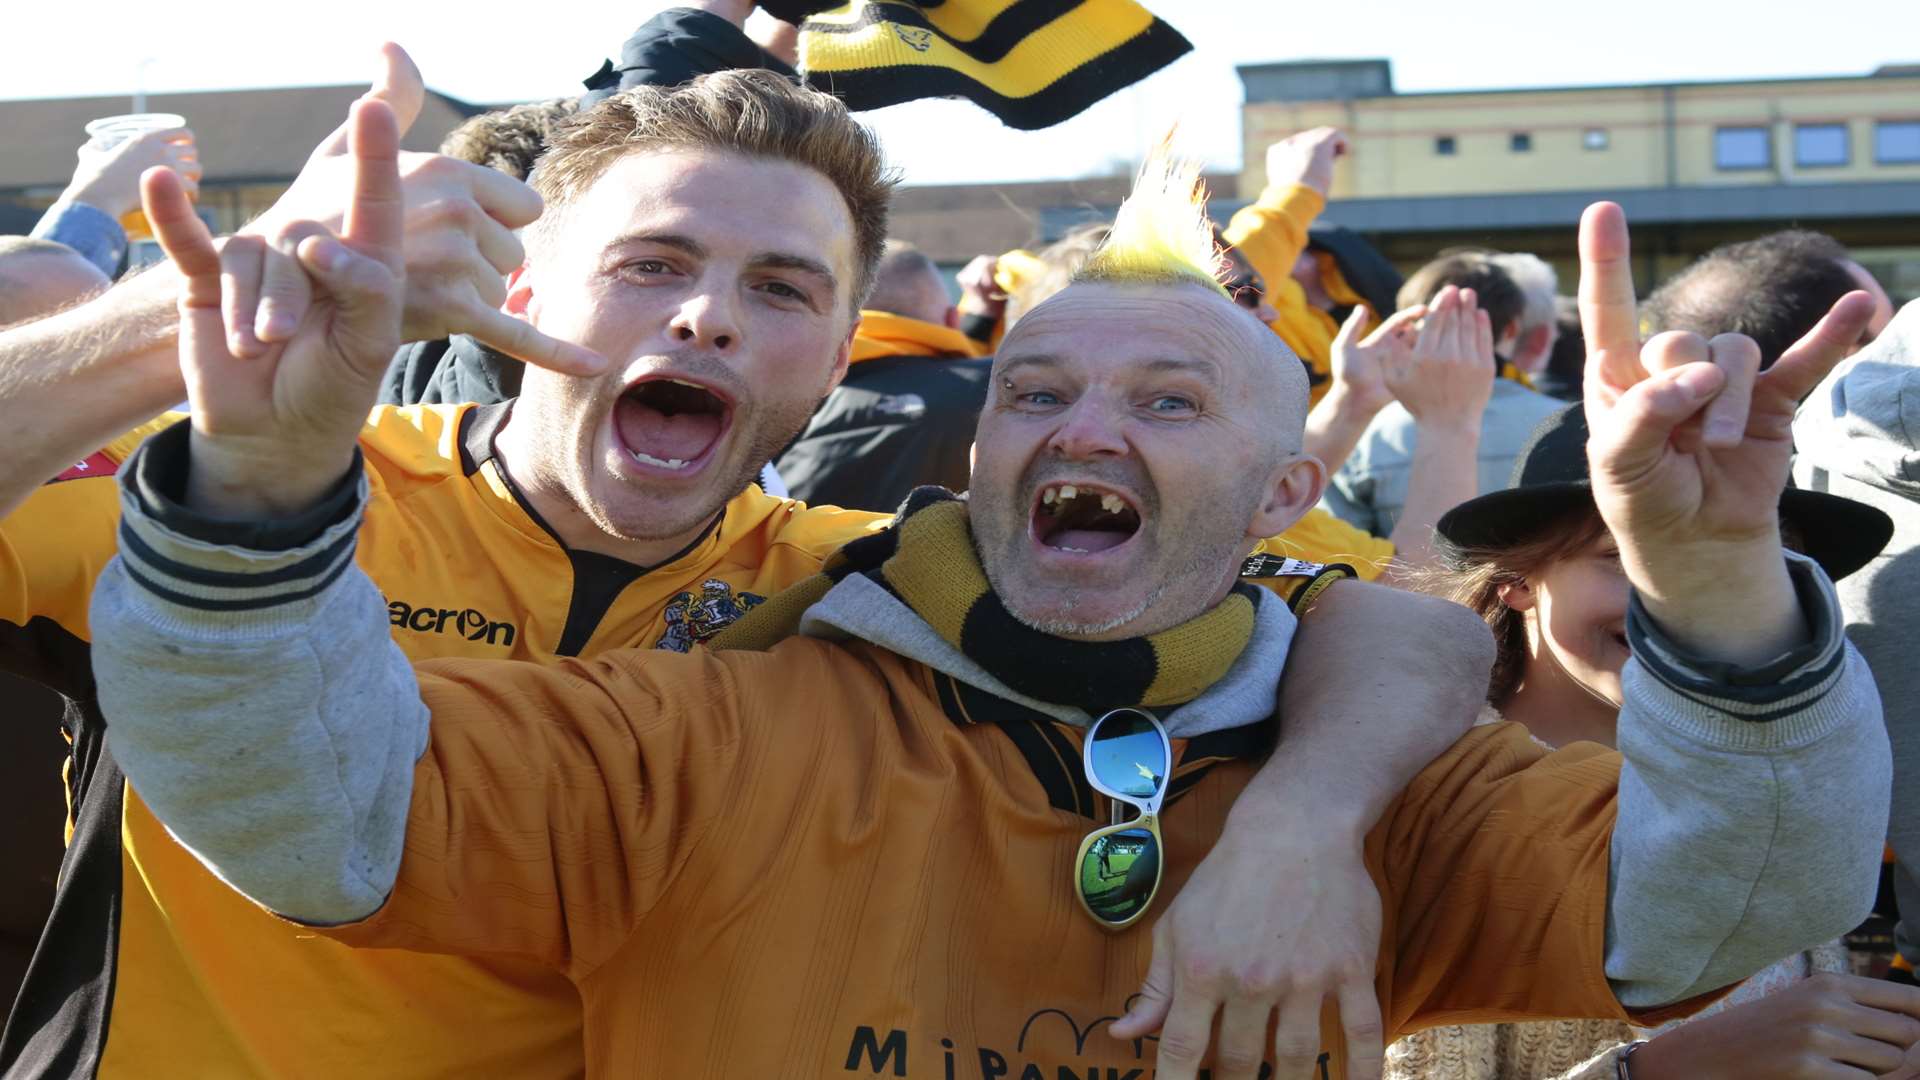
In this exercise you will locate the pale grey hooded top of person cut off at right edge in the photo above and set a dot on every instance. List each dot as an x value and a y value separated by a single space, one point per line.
1860 437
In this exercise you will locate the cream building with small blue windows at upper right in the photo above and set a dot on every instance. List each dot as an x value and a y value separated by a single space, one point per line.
1694 164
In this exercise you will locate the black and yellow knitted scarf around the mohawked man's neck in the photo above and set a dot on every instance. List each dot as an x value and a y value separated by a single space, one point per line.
926 558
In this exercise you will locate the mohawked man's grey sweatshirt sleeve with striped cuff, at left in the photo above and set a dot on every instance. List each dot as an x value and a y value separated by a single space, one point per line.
258 702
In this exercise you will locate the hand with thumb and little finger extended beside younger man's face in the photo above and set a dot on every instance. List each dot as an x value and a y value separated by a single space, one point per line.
460 239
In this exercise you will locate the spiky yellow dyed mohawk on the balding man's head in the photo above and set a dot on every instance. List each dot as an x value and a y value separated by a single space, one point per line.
1163 232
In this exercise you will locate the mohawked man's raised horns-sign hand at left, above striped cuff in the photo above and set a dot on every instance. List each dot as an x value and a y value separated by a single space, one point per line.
276 431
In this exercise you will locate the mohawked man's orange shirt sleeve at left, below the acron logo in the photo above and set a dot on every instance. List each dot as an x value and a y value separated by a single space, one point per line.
556 804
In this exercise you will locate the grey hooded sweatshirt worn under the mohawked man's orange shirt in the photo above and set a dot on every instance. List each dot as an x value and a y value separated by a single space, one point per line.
260 708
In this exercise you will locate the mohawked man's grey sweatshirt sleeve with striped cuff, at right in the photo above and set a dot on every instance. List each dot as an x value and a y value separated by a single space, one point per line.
1752 810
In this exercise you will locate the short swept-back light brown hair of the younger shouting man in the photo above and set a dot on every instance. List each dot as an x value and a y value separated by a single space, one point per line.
756 114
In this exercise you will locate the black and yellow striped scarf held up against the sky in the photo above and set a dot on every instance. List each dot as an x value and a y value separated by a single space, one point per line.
1028 62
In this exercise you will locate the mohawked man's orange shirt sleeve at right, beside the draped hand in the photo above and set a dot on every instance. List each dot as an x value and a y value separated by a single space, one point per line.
1497 866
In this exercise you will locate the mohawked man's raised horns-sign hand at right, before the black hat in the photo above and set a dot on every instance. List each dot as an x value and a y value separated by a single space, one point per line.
1691 449
